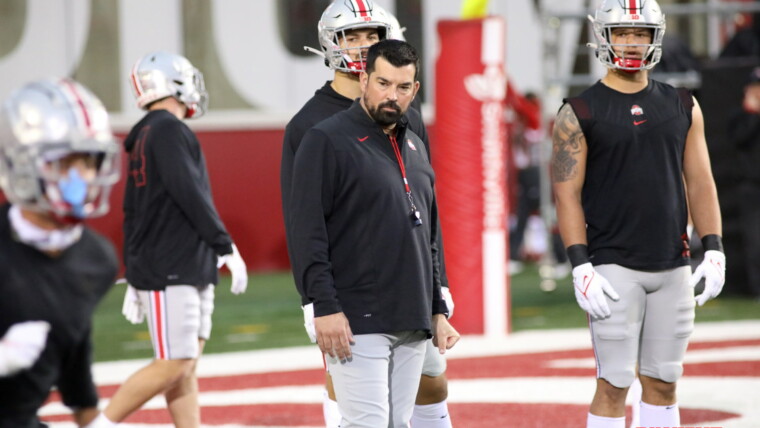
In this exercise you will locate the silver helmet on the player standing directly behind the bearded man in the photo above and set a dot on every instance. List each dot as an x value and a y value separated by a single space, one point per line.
342 16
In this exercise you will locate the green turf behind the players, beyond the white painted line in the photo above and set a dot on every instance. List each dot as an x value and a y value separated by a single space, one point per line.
268 315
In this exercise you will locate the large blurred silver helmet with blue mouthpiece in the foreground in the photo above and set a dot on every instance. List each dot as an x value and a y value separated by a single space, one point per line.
42 124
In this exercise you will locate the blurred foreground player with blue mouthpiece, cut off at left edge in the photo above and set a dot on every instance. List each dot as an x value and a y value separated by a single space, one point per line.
58 162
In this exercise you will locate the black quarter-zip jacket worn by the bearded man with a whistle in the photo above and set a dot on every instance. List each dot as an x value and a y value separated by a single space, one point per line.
355 247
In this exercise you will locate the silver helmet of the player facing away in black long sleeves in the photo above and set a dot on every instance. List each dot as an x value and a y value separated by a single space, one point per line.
162 74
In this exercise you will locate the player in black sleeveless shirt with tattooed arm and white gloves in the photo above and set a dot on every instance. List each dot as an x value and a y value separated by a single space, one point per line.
629 153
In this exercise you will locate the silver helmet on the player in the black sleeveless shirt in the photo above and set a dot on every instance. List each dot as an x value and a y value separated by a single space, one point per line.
628 13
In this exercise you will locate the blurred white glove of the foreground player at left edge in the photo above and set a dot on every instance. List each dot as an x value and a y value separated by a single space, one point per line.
22 345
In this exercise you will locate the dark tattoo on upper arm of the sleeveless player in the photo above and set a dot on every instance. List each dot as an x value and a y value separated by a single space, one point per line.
567 139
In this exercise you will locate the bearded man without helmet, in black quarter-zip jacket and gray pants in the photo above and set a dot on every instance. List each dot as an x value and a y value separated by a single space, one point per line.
363 227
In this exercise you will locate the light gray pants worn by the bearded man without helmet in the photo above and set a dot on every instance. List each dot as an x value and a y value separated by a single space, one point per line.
377 387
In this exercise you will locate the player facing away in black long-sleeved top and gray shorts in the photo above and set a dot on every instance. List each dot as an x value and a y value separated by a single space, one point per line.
173 239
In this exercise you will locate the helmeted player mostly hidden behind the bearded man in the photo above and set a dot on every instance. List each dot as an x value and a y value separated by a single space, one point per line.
345 31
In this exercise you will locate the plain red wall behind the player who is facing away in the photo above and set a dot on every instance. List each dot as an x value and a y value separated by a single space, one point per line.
244 167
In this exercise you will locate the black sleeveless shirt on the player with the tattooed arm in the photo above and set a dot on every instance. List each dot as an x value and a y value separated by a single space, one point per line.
633 196
